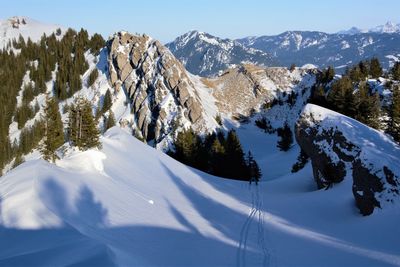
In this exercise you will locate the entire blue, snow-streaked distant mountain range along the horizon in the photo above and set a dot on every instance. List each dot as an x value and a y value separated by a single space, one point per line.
204 54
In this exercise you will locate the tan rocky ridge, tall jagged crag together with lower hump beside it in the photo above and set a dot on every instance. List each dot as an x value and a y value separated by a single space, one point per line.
164 96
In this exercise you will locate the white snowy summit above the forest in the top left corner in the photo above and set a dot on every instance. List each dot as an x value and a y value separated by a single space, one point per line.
13 27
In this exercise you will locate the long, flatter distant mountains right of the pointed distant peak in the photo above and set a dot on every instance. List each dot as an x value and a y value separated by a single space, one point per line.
322 49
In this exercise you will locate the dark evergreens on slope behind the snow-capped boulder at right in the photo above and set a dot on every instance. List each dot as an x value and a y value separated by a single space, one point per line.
353 96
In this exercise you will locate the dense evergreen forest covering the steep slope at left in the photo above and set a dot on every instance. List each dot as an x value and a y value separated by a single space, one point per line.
38 61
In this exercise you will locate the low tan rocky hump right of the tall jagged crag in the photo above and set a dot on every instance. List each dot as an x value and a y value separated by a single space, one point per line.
242 90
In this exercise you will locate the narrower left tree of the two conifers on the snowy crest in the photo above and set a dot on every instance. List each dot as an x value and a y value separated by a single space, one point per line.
54 133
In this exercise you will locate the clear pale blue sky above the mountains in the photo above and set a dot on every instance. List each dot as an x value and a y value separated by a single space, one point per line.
166 19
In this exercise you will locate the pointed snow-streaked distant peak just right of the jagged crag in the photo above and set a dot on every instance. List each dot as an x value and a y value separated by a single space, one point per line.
207 55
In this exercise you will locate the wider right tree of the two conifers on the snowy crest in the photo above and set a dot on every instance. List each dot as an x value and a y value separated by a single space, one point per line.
82 129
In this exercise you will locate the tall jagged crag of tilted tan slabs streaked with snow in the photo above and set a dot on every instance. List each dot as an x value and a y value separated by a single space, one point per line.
160 91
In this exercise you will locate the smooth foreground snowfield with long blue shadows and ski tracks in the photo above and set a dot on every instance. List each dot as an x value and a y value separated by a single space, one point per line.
129 204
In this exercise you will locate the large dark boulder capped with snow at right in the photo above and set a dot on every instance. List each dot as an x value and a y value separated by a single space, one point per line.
341 148
